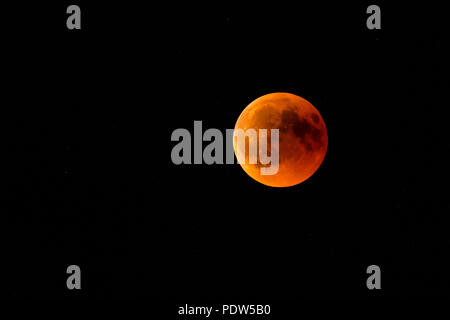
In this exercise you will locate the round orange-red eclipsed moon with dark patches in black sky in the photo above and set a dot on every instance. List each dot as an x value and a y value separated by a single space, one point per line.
303 137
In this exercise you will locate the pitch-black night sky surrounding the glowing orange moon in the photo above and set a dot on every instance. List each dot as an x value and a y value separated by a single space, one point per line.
86 123
